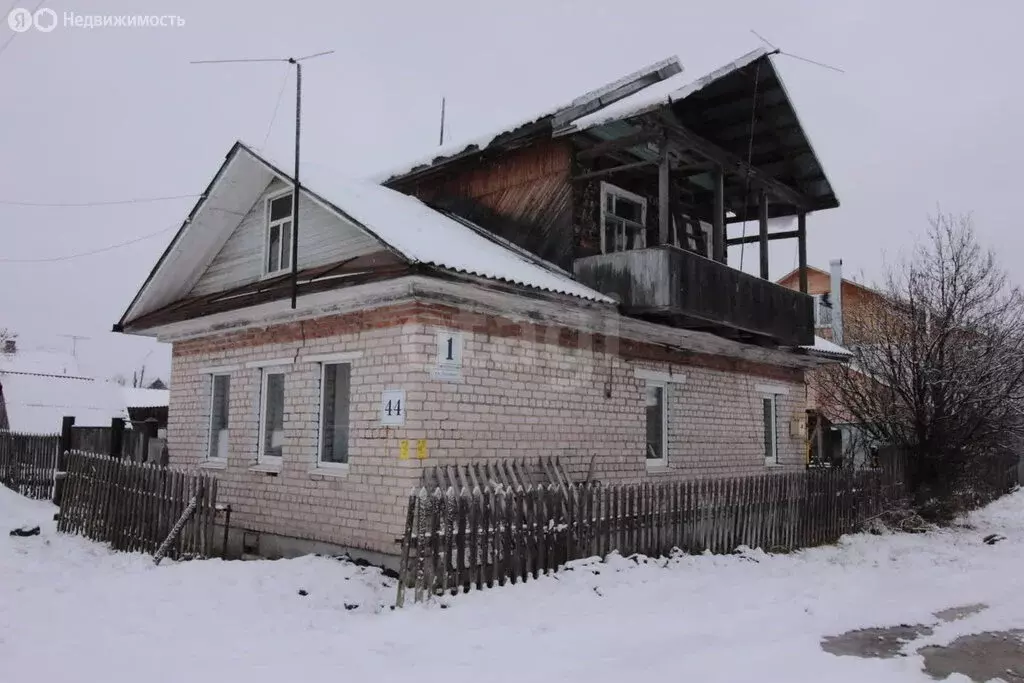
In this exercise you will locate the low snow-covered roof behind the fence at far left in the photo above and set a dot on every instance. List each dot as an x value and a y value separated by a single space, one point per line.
36 403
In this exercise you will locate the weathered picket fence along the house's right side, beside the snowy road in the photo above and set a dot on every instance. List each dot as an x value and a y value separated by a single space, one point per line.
456 541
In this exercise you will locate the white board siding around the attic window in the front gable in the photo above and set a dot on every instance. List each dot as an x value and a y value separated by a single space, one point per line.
324 239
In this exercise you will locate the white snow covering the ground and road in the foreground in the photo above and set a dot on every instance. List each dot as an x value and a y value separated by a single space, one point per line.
71 611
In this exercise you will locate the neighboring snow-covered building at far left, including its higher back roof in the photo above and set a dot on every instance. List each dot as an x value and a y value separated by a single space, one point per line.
39 389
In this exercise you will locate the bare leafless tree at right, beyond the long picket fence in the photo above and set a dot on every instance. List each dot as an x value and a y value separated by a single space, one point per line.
938 367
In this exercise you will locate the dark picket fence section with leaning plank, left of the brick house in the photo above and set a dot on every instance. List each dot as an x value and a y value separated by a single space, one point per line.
134 506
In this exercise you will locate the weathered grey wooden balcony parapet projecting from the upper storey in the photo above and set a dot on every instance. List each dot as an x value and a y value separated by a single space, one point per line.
684 289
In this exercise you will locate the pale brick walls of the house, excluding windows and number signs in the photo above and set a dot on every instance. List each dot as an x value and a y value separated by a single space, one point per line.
524 392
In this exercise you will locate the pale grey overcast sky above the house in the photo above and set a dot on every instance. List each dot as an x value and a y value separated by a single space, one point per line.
926 115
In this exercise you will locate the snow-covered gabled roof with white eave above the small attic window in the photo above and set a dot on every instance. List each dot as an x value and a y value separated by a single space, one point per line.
410 230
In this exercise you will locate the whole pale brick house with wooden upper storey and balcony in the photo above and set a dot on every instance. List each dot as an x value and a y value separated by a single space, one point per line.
554 296
